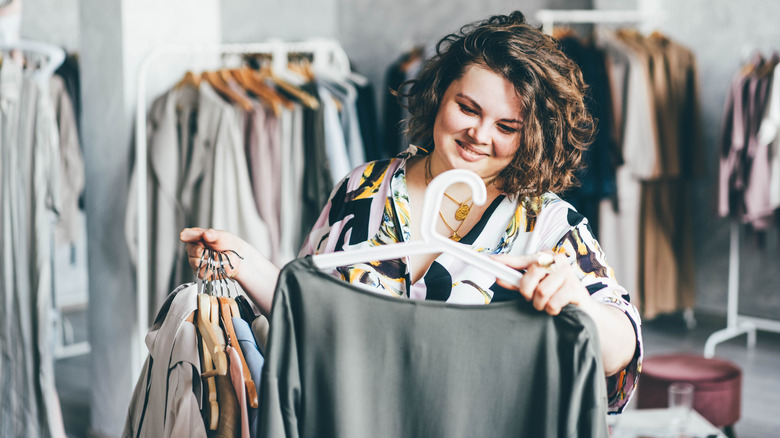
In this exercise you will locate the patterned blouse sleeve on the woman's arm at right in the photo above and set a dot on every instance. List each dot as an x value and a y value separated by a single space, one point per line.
599 278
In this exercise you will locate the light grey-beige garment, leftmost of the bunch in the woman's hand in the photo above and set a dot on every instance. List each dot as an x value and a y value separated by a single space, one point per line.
168 396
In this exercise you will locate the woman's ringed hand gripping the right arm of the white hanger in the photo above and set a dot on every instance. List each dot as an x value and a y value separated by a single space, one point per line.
548 287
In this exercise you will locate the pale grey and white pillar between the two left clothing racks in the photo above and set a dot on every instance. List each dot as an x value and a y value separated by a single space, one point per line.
116 35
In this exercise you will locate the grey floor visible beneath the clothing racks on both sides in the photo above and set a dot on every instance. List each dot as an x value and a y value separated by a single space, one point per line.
760 391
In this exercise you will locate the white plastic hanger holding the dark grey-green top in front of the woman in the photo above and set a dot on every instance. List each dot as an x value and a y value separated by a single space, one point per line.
432 241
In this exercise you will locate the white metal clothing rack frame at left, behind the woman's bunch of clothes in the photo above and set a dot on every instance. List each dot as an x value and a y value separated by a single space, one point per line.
326 53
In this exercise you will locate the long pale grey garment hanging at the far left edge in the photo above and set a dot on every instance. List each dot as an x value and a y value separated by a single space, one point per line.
29 158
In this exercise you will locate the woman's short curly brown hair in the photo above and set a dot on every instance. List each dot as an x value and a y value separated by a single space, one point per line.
556 127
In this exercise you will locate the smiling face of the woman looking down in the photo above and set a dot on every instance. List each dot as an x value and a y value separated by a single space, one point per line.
478 124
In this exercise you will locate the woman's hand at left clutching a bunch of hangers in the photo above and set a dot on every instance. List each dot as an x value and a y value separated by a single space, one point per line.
199 240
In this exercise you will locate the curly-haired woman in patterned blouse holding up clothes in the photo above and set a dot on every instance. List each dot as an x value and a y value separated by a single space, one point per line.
501 100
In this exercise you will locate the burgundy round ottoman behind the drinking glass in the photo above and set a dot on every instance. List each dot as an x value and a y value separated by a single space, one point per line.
718 385
